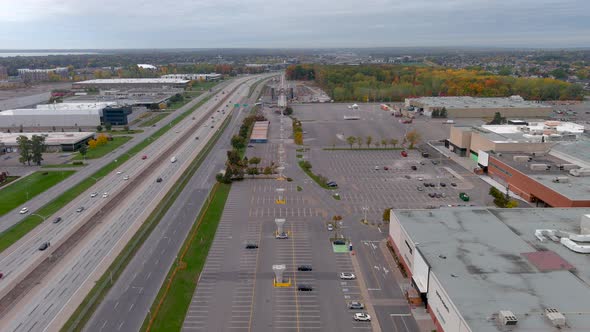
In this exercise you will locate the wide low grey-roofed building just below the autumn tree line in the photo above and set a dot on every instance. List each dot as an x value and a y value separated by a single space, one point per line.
472 107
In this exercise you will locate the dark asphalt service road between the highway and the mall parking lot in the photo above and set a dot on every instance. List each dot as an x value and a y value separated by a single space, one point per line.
139 284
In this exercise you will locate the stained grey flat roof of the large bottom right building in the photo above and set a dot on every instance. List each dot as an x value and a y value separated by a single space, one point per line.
479 255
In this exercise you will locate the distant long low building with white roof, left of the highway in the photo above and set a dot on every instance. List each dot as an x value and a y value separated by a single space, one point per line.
126 83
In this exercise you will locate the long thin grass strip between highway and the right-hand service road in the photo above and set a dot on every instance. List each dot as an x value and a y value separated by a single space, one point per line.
86 309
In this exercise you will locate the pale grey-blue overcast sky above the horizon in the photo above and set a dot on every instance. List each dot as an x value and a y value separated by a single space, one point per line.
34 24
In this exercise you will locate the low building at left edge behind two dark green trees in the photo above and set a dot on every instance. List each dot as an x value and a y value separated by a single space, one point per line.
54 141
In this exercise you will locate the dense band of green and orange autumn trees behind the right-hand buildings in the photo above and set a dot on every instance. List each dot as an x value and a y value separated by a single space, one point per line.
397 82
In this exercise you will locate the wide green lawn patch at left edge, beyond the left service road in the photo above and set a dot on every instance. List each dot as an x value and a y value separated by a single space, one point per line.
19 192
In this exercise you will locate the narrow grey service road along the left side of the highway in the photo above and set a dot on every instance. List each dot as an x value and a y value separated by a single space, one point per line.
13 217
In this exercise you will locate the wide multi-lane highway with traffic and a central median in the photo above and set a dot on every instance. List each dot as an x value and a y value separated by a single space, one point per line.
42 308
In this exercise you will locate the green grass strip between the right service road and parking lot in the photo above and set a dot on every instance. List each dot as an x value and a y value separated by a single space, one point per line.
172 302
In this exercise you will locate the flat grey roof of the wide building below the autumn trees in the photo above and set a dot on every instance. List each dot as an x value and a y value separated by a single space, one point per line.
474 102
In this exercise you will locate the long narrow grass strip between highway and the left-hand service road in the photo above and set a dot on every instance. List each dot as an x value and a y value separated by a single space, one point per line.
13 234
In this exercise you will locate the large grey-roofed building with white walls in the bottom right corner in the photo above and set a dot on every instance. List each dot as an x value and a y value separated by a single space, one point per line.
490 270
